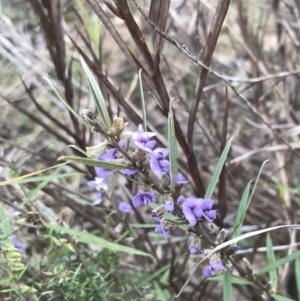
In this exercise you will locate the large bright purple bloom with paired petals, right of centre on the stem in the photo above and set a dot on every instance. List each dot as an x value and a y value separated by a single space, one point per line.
194 209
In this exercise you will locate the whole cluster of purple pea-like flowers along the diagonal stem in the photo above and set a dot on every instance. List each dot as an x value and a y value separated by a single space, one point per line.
154 166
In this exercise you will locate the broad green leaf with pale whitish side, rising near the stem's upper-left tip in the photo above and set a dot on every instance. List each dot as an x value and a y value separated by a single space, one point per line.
97 94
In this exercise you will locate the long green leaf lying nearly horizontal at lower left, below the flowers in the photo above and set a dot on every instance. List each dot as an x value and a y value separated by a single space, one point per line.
97 241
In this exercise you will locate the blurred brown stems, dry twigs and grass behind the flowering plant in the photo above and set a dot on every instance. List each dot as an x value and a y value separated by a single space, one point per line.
251 93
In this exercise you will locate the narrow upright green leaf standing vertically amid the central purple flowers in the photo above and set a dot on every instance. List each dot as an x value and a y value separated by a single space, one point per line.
172 147
